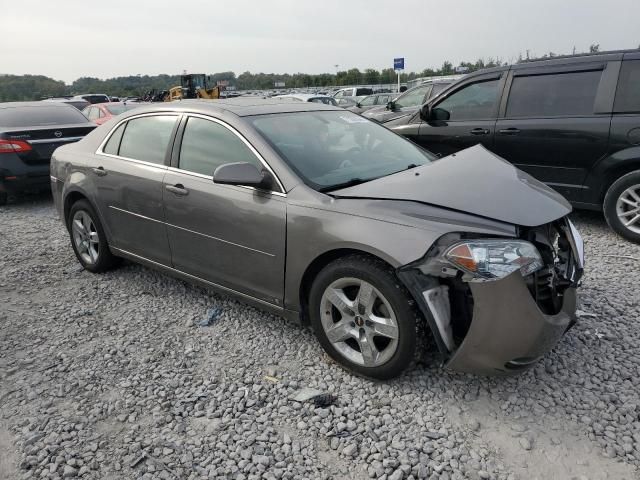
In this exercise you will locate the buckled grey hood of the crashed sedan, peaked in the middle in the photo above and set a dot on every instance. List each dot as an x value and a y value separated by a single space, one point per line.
474 181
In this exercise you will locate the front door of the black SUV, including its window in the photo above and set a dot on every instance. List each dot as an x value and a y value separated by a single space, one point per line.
464 116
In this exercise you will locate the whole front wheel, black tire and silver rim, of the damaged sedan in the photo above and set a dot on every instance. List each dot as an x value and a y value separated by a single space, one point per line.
344 298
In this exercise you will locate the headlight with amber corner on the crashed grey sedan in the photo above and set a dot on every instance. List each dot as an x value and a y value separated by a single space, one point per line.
494 259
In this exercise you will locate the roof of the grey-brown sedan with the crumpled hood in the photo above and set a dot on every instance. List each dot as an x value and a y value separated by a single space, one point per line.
240 106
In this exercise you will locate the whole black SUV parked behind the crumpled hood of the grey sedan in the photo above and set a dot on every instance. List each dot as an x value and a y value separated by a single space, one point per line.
572 122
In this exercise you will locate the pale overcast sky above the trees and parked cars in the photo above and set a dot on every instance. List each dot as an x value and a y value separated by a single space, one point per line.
66 39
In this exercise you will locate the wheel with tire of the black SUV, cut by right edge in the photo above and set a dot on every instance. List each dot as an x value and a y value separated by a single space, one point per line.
622 205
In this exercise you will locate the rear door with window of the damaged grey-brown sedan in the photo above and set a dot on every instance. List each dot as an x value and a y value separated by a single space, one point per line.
128 172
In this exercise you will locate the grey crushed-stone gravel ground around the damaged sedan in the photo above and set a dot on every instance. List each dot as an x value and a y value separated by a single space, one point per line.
111 377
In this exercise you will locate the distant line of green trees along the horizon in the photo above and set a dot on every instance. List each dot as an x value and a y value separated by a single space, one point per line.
36 87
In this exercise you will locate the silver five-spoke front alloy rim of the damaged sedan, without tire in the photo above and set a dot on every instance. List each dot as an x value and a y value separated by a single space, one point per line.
359 322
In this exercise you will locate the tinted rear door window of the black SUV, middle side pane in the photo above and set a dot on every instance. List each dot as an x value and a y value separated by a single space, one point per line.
559 94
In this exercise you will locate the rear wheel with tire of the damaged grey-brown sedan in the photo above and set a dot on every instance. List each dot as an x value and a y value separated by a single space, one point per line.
91 249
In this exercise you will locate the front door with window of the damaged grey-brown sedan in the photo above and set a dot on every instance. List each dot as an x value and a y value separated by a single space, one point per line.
232 236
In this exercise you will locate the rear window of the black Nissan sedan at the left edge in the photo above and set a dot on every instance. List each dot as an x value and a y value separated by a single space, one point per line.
35 116
